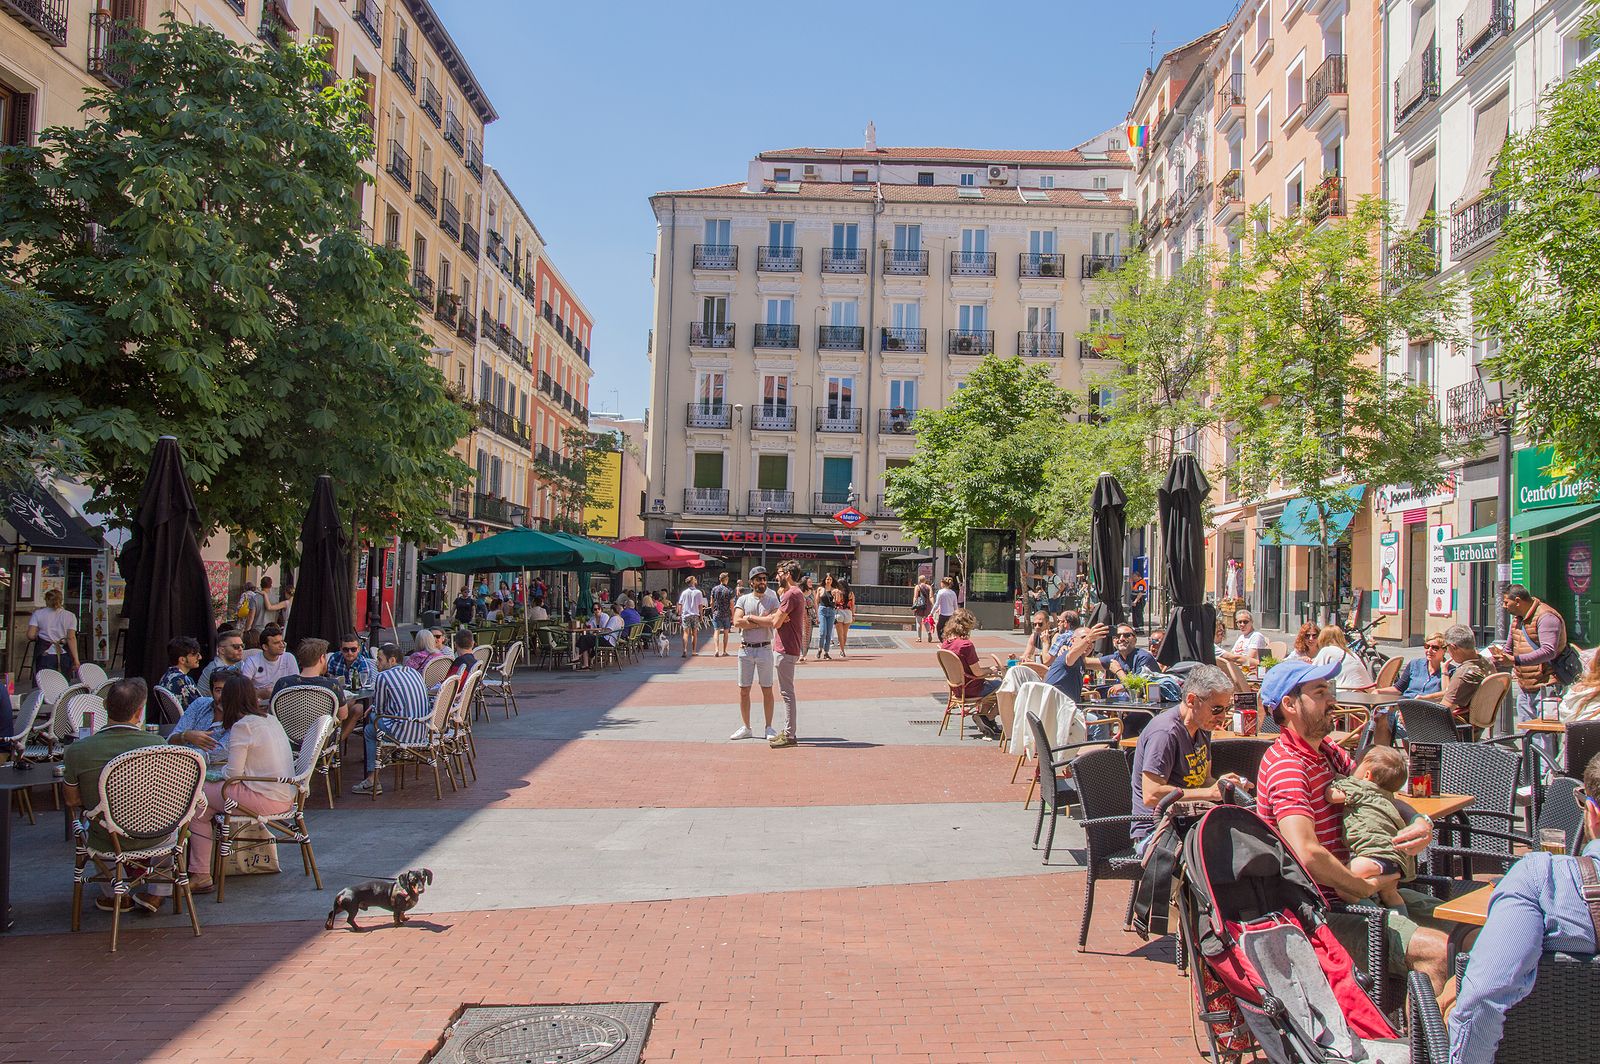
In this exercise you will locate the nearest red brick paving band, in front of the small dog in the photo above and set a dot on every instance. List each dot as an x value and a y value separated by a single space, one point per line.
935 974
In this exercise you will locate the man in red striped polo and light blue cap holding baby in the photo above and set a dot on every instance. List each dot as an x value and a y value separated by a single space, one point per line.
1292 794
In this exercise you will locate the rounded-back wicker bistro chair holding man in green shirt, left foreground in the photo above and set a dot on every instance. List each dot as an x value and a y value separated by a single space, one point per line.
148 799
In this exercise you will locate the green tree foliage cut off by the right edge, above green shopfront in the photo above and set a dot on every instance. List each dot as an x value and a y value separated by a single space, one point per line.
1540 294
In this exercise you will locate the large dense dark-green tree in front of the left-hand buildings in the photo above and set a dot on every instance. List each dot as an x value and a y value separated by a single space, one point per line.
198 238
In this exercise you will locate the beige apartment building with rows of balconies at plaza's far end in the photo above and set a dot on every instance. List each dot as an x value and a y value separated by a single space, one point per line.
806 314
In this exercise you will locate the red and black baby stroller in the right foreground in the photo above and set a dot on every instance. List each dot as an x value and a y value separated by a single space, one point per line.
1271 982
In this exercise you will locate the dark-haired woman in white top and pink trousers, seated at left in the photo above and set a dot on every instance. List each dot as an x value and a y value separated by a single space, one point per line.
257 748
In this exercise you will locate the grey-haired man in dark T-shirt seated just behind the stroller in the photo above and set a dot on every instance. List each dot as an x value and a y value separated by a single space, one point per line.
1175 751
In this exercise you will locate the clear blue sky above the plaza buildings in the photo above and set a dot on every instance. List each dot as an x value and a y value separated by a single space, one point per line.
604 105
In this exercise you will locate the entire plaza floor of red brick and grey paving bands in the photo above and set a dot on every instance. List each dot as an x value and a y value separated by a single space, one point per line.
870 895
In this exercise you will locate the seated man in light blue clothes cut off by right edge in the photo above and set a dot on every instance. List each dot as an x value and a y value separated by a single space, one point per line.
1538 906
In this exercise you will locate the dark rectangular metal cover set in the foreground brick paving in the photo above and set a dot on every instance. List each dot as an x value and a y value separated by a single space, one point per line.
548 1034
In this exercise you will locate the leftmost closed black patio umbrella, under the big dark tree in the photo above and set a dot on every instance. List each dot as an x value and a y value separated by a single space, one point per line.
169 593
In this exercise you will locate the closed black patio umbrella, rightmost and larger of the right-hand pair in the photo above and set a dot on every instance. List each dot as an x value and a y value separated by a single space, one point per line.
1193 622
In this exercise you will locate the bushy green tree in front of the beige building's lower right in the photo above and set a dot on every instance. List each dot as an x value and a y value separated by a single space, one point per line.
983 460
